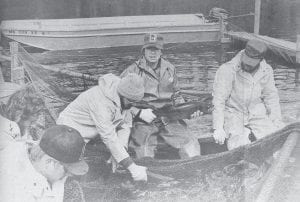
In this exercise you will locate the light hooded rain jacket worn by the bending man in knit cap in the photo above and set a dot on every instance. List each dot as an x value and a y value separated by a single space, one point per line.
97 111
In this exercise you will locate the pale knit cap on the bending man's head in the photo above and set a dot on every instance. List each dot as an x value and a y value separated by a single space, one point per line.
131 87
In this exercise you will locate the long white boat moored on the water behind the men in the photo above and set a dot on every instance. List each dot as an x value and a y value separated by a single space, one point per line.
83 33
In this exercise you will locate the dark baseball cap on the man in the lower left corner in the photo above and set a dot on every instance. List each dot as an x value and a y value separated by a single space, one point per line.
66 145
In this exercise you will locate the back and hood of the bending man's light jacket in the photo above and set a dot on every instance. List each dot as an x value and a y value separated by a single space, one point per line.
97 103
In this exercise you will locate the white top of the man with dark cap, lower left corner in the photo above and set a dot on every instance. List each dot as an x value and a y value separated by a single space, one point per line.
20 181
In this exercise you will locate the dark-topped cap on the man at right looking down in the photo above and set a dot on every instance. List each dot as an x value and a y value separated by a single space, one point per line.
254 52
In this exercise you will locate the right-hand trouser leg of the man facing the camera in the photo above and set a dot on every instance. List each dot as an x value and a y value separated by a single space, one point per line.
181 138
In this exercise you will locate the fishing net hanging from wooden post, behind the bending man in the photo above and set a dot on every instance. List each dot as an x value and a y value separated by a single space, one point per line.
56 95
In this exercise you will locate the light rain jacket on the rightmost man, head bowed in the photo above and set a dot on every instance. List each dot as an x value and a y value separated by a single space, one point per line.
237 91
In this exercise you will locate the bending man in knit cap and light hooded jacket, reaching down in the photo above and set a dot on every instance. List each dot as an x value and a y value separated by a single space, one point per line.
103 111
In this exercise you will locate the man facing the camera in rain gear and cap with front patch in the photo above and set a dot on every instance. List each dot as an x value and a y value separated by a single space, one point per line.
160 82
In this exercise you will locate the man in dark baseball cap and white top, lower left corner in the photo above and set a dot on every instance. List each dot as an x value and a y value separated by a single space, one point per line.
38 172
